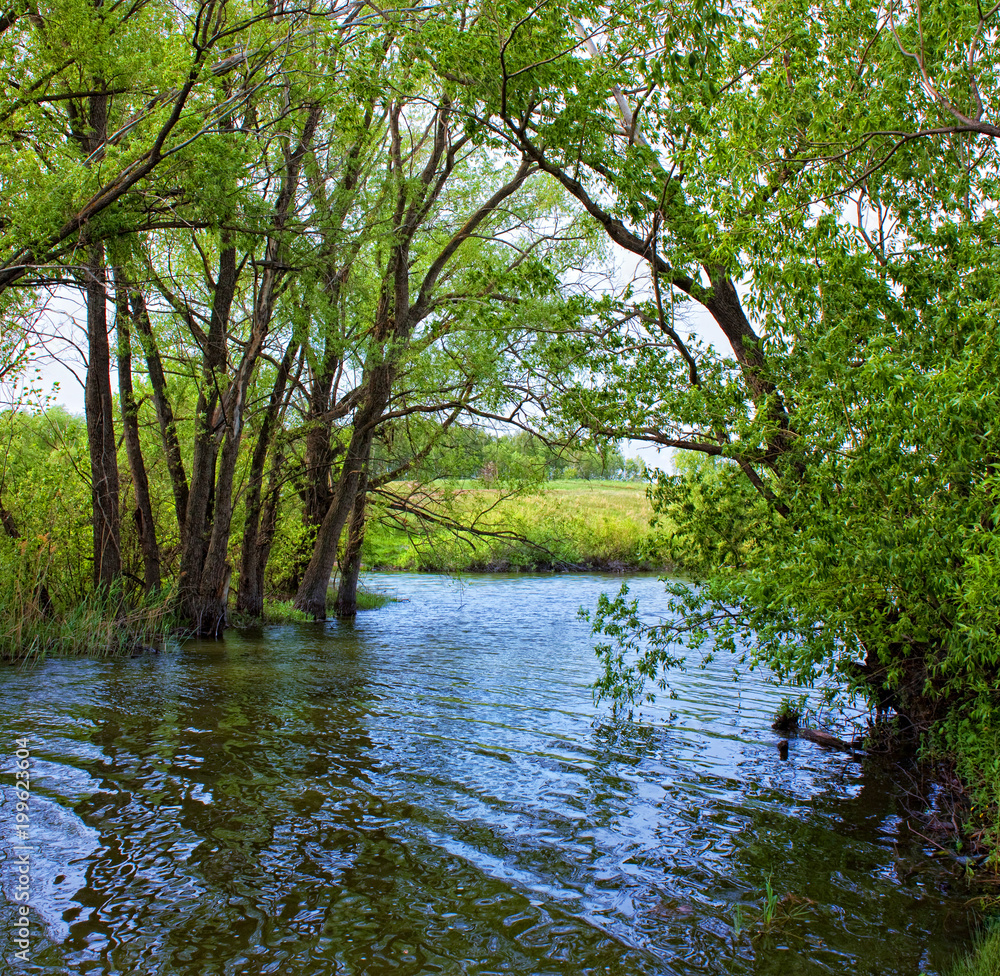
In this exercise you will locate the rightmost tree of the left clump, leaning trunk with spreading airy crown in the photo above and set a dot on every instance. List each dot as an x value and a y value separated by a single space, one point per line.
457 238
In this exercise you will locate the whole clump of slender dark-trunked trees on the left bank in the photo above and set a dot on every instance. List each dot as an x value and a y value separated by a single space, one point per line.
273 242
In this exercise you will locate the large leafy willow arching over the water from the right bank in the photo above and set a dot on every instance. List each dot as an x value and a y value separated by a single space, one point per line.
820 179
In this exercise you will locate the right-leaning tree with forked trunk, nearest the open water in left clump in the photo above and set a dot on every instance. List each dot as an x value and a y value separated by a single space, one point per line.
451 249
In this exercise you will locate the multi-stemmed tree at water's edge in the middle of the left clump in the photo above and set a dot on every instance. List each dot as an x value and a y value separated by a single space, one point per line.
228 284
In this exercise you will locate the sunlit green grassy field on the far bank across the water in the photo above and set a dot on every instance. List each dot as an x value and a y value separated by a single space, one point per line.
568 525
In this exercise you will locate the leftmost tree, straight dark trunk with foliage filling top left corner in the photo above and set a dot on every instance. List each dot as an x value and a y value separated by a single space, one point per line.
101 114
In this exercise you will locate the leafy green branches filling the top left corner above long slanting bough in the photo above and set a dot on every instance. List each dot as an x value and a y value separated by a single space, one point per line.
88 119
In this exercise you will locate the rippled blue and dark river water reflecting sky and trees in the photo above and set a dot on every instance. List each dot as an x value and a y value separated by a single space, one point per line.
431 790
